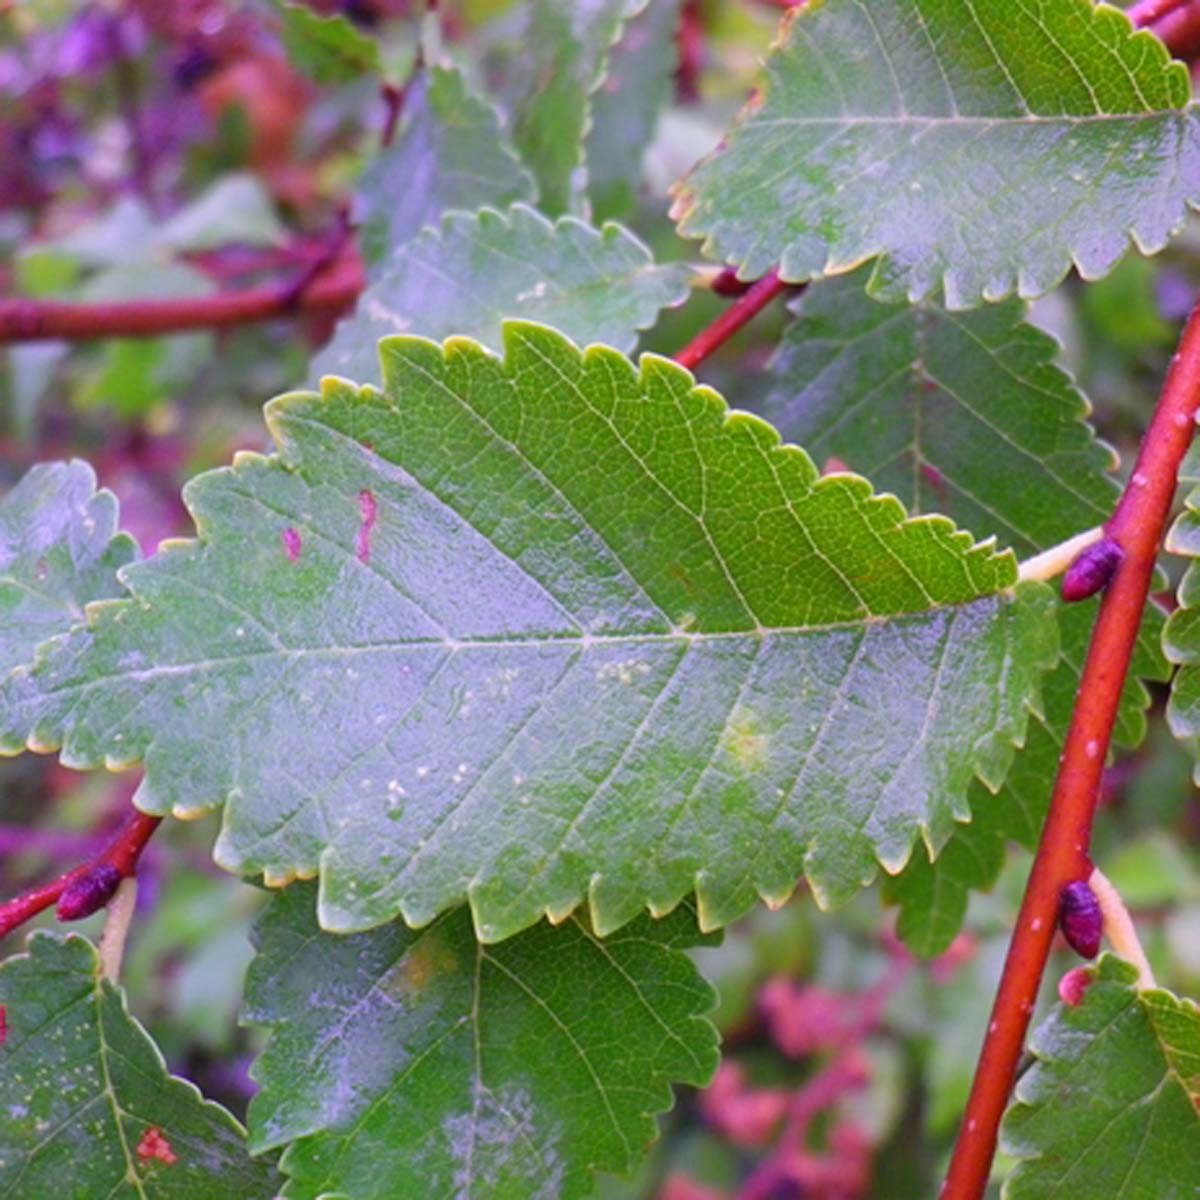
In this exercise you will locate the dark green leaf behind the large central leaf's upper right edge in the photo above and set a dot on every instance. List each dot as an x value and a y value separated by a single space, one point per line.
958 413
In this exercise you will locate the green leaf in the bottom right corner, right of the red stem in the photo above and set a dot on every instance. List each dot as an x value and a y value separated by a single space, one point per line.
1111 1106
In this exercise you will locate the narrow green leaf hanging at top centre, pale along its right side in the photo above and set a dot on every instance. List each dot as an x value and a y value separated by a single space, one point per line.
565 56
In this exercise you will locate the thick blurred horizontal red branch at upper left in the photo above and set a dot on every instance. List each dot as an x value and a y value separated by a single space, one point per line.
33 321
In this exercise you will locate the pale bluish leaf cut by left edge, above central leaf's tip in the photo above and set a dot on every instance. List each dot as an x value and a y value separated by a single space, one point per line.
59 551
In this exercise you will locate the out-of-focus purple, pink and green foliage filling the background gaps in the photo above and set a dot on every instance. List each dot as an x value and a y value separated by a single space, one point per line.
157 151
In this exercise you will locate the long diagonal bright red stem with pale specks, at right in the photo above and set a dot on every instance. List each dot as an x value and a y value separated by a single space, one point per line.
1063 857
